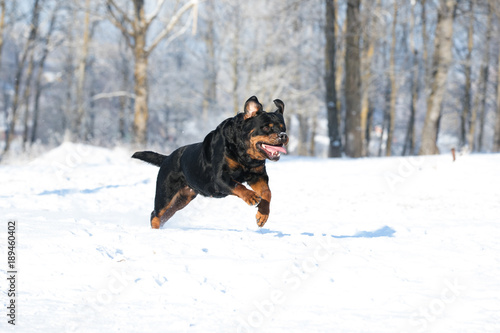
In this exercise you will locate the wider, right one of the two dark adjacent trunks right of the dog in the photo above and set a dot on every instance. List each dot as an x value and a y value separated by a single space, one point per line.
354 132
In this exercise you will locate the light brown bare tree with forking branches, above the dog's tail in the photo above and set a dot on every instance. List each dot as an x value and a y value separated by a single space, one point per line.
134 28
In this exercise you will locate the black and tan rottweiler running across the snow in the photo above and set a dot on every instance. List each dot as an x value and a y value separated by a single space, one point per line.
232 154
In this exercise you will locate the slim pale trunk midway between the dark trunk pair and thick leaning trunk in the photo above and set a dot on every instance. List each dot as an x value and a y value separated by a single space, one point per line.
392 79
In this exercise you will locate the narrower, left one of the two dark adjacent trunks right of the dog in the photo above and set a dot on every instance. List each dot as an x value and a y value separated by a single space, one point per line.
335 146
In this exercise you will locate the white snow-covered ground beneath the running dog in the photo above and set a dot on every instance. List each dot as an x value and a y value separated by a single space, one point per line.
367 245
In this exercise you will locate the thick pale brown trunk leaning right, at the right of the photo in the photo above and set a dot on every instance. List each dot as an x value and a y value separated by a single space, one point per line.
443 45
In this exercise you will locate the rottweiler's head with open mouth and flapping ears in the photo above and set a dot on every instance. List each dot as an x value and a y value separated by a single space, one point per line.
265 131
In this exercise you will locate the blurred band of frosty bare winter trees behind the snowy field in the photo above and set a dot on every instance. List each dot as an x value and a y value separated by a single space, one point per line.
360 78
